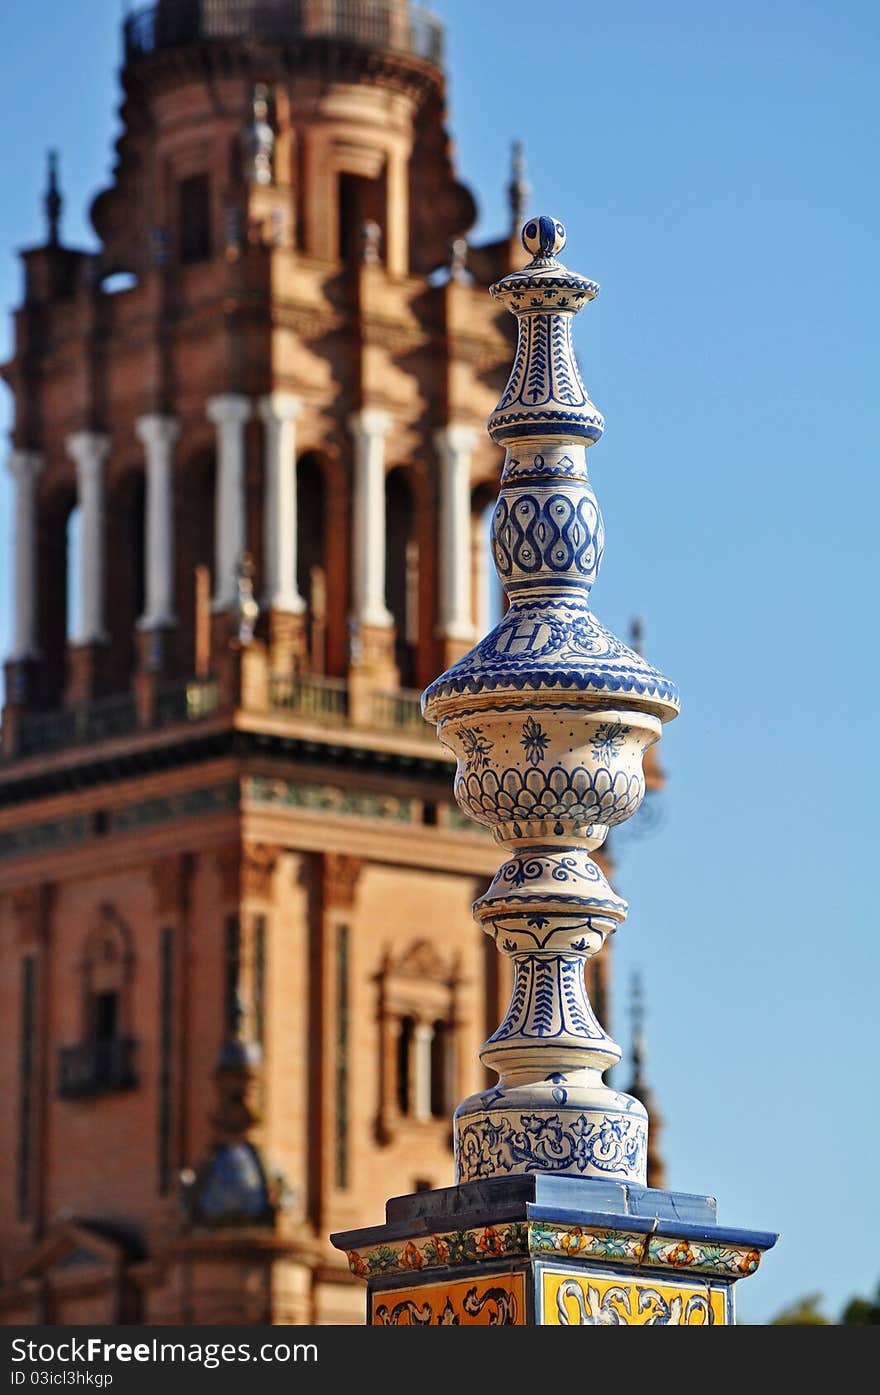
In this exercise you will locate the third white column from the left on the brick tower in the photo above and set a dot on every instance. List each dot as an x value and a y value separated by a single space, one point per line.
158 435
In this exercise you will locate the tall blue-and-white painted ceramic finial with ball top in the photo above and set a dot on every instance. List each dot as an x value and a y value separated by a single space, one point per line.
549 718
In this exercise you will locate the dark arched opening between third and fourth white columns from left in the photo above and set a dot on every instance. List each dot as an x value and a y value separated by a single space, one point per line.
195 508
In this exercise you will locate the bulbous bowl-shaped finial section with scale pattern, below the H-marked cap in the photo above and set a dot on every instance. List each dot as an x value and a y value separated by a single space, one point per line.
550 772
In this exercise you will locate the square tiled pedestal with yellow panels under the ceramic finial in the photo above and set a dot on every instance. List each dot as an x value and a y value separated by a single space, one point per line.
552 1252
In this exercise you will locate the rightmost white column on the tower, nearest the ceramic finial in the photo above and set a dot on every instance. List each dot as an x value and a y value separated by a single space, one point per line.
455 446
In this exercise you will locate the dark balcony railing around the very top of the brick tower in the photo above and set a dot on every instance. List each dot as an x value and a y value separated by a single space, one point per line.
376 24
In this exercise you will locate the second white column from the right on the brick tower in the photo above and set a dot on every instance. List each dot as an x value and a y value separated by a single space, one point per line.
370 428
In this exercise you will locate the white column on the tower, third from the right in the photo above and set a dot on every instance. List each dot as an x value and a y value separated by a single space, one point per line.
280 414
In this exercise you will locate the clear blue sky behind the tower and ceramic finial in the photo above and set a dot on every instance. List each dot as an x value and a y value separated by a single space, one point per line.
716 167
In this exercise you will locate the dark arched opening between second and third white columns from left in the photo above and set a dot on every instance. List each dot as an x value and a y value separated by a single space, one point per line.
126 557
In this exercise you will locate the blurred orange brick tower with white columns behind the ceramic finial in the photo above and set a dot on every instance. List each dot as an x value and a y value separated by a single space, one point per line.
241 986
